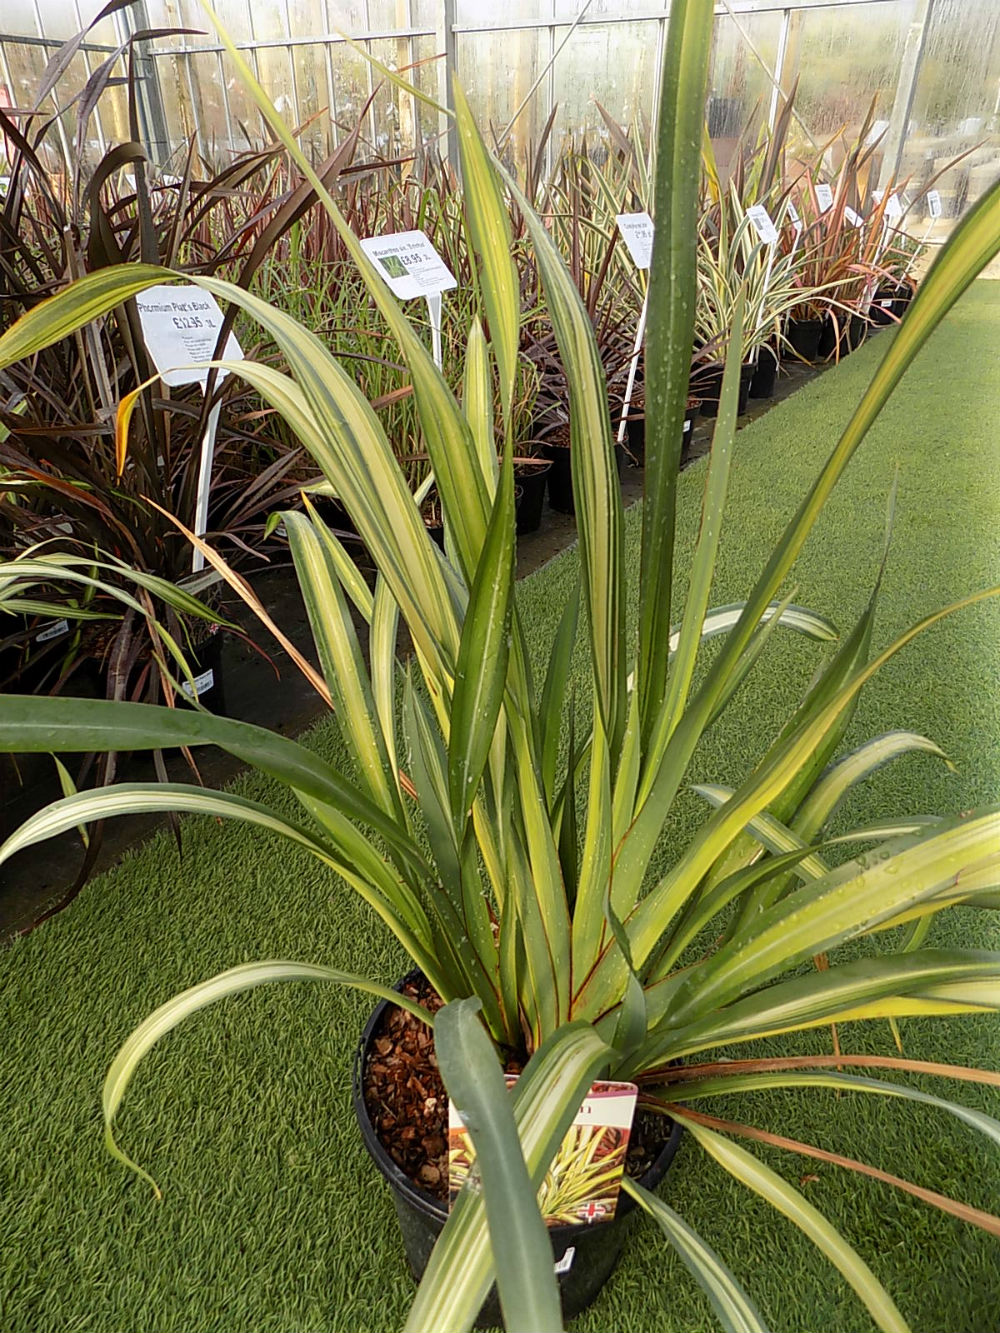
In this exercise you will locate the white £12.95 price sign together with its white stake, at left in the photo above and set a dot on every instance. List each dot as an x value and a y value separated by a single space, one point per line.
182 326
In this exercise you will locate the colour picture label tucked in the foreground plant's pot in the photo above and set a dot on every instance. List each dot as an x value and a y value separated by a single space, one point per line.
585 1179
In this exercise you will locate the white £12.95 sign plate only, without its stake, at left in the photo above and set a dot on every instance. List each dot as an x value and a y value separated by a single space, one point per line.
181 329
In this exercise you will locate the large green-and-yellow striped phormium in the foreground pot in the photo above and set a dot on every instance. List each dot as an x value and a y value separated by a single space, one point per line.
458 820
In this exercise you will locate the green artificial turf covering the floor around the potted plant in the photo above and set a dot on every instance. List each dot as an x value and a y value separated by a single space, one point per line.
273 1218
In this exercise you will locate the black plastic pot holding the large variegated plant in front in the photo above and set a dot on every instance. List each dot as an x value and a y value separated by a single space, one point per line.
589 1254
